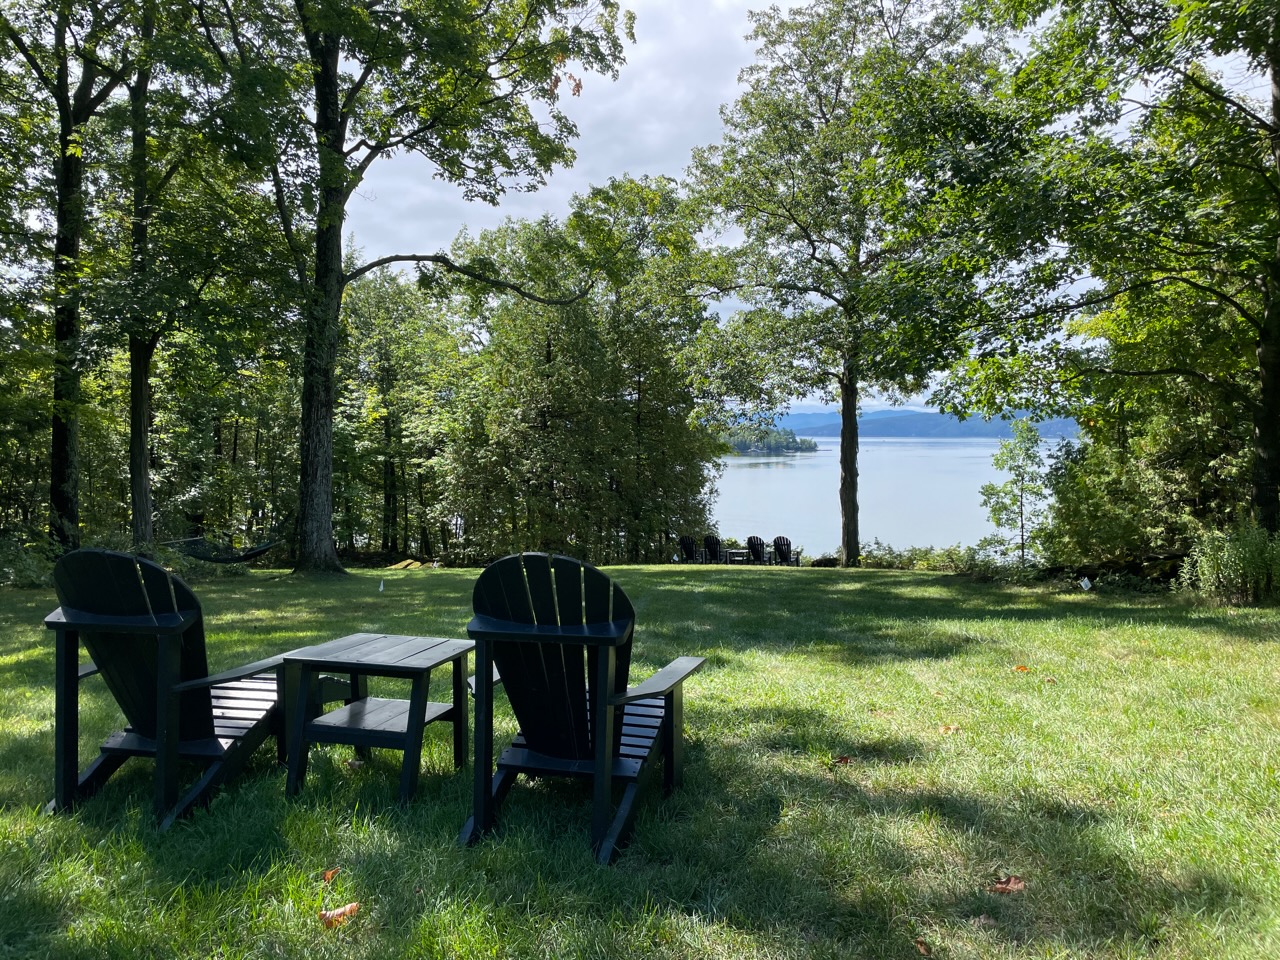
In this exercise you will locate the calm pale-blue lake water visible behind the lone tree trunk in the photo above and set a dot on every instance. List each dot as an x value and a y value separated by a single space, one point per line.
912 493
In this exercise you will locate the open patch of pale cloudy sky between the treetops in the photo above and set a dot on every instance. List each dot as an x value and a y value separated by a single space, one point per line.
665 103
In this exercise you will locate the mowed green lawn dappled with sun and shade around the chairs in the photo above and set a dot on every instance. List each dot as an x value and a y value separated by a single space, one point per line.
866 760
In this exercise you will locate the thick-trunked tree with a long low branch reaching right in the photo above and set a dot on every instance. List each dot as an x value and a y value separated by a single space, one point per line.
473 90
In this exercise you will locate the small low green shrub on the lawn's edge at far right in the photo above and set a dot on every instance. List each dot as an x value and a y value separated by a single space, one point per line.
1240 566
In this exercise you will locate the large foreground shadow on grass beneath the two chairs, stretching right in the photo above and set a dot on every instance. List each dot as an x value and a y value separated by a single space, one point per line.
803 860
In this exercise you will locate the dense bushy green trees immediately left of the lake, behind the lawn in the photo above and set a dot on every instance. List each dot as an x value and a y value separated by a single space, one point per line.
575 429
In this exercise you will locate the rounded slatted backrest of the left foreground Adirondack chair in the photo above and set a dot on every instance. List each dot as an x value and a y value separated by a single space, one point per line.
108 584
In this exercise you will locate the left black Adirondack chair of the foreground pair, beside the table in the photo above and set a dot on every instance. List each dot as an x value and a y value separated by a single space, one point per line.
145 636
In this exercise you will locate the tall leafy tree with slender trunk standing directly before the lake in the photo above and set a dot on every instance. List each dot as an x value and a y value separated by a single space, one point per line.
839 170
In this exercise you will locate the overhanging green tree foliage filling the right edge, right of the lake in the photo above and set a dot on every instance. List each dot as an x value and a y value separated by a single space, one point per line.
1145 296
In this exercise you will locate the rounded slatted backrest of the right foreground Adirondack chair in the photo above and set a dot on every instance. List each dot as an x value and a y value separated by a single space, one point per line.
548 683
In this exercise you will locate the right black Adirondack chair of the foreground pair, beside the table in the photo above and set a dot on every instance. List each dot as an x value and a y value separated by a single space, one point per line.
560 634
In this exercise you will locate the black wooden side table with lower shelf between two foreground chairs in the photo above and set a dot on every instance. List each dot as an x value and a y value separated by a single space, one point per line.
368 721
